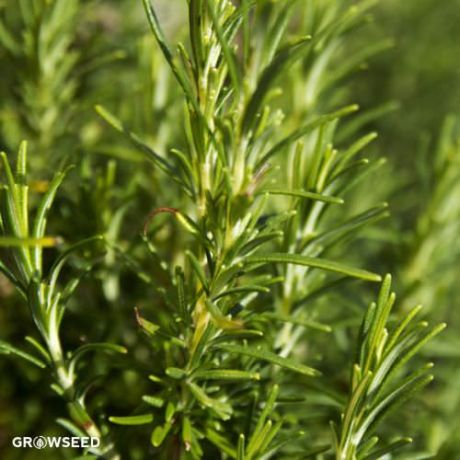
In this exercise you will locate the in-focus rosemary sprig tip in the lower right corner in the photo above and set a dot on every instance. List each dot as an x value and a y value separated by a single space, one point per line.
374 392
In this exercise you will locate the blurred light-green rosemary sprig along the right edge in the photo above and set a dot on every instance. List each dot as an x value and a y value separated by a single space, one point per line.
428 256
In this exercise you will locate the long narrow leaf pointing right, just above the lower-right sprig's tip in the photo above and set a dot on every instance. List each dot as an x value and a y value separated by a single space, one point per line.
313 262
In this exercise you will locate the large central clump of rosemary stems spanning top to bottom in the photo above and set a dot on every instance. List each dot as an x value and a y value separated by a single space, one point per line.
220 318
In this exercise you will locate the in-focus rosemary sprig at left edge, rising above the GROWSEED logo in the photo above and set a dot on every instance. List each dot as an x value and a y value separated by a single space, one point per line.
45 297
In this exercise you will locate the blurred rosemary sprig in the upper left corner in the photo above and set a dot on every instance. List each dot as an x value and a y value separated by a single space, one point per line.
52 52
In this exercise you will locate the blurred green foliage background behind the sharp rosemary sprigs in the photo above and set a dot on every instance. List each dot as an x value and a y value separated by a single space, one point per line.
57 63
